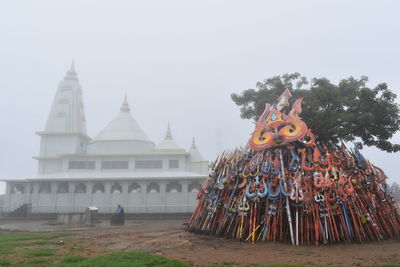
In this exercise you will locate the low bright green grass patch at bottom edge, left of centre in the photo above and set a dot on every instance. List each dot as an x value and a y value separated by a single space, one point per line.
125 259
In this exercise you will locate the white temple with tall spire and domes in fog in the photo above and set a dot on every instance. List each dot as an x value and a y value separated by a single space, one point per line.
121 165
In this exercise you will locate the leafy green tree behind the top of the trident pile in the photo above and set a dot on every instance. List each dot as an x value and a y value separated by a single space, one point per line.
343 111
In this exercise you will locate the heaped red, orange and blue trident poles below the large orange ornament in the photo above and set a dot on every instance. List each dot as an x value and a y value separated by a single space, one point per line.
297 193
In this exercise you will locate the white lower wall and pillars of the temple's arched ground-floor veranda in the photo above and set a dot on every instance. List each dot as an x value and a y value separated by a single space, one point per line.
133 202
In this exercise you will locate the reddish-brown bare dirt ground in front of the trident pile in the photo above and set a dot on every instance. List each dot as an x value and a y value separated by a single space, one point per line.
168 238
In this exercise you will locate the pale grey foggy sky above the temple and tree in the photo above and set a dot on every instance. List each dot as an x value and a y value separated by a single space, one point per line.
179 61
